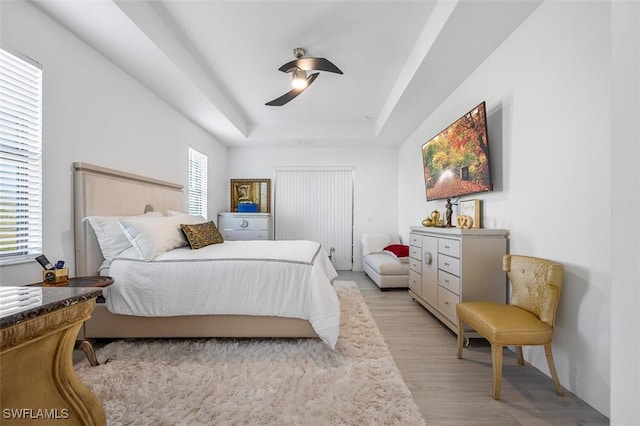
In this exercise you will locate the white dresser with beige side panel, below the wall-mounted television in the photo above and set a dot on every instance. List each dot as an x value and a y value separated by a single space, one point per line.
450 265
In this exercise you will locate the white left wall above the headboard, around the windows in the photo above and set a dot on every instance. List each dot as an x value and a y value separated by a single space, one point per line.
96 113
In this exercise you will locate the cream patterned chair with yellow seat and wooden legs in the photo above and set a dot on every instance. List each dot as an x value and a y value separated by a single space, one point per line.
527 320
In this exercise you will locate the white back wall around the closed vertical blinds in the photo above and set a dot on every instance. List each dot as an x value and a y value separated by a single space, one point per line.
375 180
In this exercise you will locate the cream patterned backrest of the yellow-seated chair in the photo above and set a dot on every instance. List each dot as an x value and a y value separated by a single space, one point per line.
535 285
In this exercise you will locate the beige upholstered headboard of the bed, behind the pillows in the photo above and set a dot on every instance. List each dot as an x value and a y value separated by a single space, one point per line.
99 191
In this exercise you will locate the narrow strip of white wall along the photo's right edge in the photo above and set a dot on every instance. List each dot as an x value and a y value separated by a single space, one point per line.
625 187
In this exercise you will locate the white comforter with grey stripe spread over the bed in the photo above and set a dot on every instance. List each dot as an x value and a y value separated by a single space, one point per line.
271 278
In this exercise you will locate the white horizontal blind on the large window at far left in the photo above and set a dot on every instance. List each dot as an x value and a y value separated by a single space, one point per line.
20 157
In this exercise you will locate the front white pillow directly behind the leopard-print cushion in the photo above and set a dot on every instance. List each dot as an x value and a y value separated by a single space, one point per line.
151 237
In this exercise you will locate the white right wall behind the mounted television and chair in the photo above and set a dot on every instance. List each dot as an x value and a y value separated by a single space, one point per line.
547 90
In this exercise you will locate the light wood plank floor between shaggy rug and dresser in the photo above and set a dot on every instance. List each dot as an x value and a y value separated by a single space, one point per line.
457 392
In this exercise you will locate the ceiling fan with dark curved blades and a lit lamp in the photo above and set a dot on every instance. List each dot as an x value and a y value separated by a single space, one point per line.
299 79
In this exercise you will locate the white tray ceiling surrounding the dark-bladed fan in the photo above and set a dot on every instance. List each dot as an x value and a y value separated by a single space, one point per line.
217 61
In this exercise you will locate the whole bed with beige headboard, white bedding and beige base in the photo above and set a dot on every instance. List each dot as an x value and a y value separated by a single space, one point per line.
105 194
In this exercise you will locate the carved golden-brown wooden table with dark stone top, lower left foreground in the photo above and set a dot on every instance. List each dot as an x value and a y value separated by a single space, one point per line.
38 384
